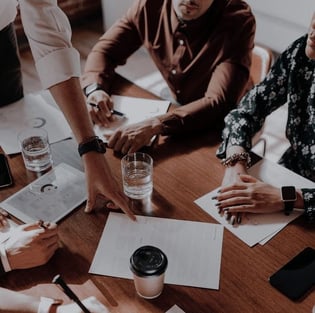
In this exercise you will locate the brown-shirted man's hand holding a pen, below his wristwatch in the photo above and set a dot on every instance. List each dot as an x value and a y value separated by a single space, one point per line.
101 114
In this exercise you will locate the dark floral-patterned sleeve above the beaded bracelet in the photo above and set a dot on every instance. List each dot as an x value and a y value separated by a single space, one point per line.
242 123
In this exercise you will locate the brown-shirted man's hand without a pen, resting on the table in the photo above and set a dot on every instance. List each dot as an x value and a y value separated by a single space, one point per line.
129 139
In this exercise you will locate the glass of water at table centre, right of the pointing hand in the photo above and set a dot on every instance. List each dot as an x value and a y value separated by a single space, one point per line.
137 175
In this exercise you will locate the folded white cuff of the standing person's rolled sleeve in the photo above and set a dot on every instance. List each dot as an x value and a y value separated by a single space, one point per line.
58 66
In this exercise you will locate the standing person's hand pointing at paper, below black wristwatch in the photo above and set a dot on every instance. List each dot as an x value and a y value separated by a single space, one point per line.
102 184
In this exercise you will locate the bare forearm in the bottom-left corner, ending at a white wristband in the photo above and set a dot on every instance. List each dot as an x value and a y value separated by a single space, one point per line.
12 301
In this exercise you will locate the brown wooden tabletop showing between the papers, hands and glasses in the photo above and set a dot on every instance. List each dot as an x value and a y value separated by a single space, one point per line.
185 168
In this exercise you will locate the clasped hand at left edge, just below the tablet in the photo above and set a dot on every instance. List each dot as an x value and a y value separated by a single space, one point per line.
31 245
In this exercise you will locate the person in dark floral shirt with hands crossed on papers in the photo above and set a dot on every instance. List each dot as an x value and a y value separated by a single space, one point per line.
290 80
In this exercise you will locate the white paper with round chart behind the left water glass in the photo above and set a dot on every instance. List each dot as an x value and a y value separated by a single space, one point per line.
31 111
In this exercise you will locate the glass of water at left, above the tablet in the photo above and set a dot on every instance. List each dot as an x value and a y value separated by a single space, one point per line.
35 149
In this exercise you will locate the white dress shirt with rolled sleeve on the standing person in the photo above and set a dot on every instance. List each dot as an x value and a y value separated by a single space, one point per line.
48 31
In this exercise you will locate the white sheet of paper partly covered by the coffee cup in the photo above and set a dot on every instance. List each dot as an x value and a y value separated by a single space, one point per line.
193 249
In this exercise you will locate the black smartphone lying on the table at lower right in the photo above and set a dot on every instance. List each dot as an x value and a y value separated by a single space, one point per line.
296 277
